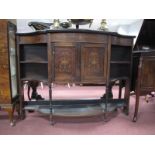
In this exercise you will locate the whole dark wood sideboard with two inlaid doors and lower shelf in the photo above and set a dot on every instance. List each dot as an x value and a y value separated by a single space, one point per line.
74 56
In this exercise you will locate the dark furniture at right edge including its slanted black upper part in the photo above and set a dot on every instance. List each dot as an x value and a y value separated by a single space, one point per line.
143 70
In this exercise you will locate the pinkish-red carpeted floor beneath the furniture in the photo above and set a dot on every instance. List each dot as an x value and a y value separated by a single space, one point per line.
118 123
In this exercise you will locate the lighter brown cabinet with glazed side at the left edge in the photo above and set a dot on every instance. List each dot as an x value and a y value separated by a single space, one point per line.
8 68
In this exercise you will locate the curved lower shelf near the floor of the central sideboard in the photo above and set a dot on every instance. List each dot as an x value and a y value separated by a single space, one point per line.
75 108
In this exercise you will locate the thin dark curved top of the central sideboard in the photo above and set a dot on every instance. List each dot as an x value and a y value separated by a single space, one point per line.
74 31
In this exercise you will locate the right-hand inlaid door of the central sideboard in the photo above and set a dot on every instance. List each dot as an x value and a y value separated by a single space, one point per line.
93 63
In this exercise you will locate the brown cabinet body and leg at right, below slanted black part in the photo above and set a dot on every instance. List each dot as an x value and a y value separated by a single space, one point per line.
144 75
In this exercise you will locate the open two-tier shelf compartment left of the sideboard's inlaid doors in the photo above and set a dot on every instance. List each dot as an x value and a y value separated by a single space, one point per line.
33 62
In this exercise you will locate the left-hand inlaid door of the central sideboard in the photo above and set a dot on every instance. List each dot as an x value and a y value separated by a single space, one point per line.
64 62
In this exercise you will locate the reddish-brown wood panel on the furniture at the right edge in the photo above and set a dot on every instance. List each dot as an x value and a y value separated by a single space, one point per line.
148 73
